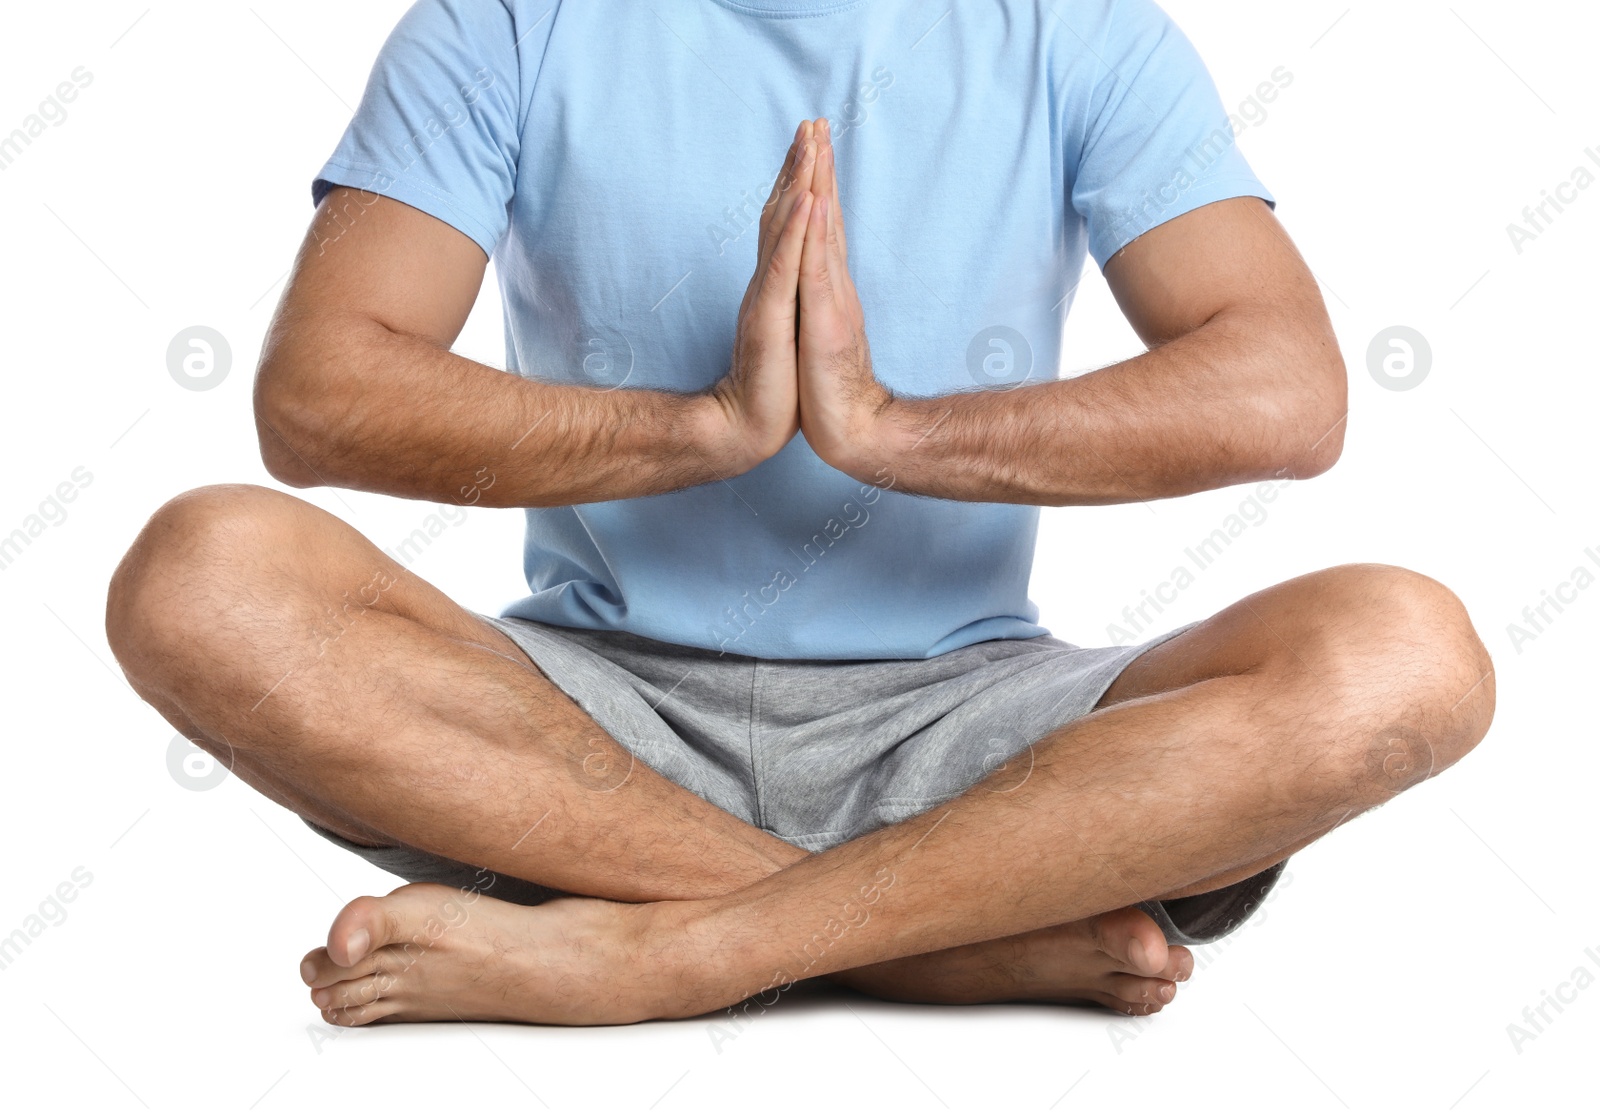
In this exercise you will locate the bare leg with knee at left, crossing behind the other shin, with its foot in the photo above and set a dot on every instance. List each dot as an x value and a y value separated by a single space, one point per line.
353 692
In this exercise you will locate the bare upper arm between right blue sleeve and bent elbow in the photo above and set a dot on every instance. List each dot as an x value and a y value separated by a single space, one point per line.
1230 257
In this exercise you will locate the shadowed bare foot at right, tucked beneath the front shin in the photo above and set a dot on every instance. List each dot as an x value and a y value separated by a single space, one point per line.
1118 960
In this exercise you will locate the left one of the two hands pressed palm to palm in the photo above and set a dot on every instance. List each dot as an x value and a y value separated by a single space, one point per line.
759 396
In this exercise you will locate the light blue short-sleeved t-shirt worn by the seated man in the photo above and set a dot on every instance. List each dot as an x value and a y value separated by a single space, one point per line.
614 159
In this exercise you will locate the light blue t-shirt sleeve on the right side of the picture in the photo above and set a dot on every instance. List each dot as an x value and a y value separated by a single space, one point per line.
1153 140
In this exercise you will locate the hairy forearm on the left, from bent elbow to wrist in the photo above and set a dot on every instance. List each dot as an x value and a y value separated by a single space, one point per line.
369 409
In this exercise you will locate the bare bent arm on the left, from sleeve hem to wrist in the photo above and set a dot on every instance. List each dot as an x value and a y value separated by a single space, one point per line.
358 387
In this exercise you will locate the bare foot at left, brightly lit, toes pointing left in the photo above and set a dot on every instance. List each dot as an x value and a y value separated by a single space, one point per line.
433 953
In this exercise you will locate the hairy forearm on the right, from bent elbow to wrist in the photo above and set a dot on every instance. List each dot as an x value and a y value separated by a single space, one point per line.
1230 403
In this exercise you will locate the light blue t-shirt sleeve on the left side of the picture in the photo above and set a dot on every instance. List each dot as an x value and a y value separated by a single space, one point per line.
438 127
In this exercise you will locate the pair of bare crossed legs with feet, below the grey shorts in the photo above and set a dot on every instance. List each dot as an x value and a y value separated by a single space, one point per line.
361 697
